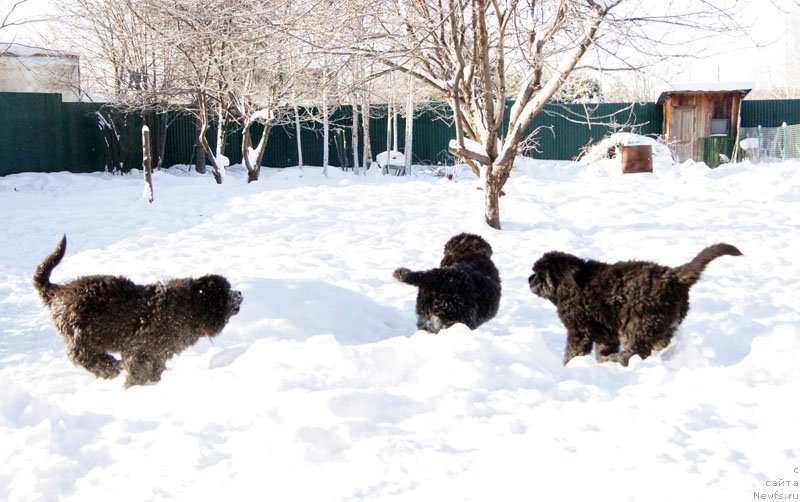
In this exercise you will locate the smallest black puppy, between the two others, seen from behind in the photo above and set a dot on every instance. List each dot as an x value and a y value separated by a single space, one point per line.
465 288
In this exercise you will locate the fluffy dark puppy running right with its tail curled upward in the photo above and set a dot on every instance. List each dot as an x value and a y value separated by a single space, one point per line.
146 325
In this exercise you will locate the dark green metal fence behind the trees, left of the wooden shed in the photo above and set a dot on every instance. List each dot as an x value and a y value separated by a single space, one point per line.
38 132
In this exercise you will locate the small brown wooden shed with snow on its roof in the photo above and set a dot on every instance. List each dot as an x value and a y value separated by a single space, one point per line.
701 120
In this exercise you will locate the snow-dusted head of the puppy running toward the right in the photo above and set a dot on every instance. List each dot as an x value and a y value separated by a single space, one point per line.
214 302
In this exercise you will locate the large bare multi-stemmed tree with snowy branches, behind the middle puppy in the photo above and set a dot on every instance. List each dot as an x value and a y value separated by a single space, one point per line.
479 53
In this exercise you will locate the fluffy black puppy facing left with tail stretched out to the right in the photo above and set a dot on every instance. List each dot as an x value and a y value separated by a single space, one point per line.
635 304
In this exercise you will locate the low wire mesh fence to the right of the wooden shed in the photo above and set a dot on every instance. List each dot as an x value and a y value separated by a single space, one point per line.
770 144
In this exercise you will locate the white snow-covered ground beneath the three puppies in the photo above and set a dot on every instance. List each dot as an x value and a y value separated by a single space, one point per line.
321 390
